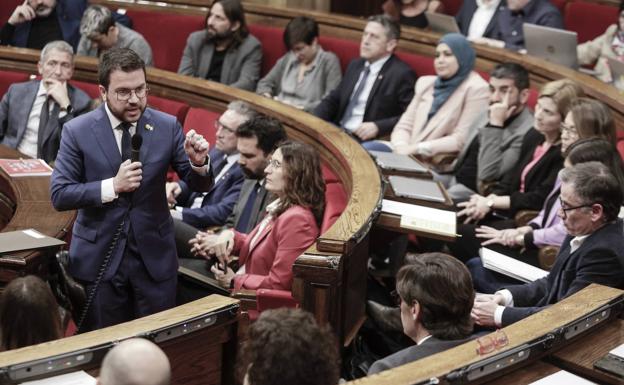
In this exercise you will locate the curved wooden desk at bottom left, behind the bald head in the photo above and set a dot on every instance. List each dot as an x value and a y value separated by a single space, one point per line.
197 356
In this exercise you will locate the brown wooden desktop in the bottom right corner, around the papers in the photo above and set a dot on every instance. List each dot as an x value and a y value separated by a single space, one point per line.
580 356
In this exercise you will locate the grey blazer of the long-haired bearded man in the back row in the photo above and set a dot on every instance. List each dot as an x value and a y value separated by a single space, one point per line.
241 65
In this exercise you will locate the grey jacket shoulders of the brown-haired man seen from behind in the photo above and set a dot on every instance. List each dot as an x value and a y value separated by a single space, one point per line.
430 346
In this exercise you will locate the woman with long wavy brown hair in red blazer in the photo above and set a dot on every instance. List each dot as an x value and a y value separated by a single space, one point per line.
291 225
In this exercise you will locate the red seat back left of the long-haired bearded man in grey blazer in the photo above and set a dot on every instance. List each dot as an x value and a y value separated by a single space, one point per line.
166 33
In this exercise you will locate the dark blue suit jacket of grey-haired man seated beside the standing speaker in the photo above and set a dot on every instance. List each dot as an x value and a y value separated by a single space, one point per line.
220 200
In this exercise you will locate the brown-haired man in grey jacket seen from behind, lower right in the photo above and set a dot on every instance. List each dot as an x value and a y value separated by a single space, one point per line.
436 296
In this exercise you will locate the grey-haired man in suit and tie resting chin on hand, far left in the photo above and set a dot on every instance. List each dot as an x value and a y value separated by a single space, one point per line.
32 113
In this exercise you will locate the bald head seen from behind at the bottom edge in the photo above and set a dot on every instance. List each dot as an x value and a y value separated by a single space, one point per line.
135 361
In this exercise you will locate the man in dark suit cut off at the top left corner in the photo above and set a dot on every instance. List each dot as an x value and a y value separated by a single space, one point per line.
35 23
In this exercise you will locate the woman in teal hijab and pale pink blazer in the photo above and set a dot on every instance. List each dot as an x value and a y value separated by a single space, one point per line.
444 107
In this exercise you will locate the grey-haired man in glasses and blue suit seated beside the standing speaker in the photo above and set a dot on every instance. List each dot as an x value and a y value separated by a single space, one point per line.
195 211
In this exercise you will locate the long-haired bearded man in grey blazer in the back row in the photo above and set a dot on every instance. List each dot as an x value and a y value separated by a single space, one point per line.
224 52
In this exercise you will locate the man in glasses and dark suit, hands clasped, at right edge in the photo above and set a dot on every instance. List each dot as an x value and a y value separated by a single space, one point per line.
593 252
